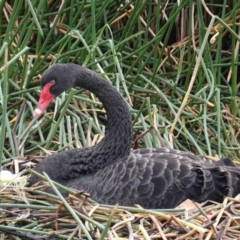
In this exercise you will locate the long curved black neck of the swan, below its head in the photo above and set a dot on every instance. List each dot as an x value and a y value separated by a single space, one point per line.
117 142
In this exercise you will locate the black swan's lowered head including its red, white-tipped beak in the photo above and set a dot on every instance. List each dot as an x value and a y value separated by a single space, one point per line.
55 80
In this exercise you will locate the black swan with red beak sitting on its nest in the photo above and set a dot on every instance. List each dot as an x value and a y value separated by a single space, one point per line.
112 173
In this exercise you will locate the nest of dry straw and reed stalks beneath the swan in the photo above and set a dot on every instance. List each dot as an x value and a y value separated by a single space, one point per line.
31 213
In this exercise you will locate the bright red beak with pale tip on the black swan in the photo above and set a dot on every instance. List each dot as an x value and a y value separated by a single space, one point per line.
44 100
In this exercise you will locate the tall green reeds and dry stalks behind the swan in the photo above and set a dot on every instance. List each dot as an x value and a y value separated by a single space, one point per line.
175 62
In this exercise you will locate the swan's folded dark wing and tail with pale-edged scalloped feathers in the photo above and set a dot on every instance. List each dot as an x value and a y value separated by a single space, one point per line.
161 178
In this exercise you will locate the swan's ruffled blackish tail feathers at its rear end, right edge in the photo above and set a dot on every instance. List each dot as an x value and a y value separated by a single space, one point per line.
215 182
